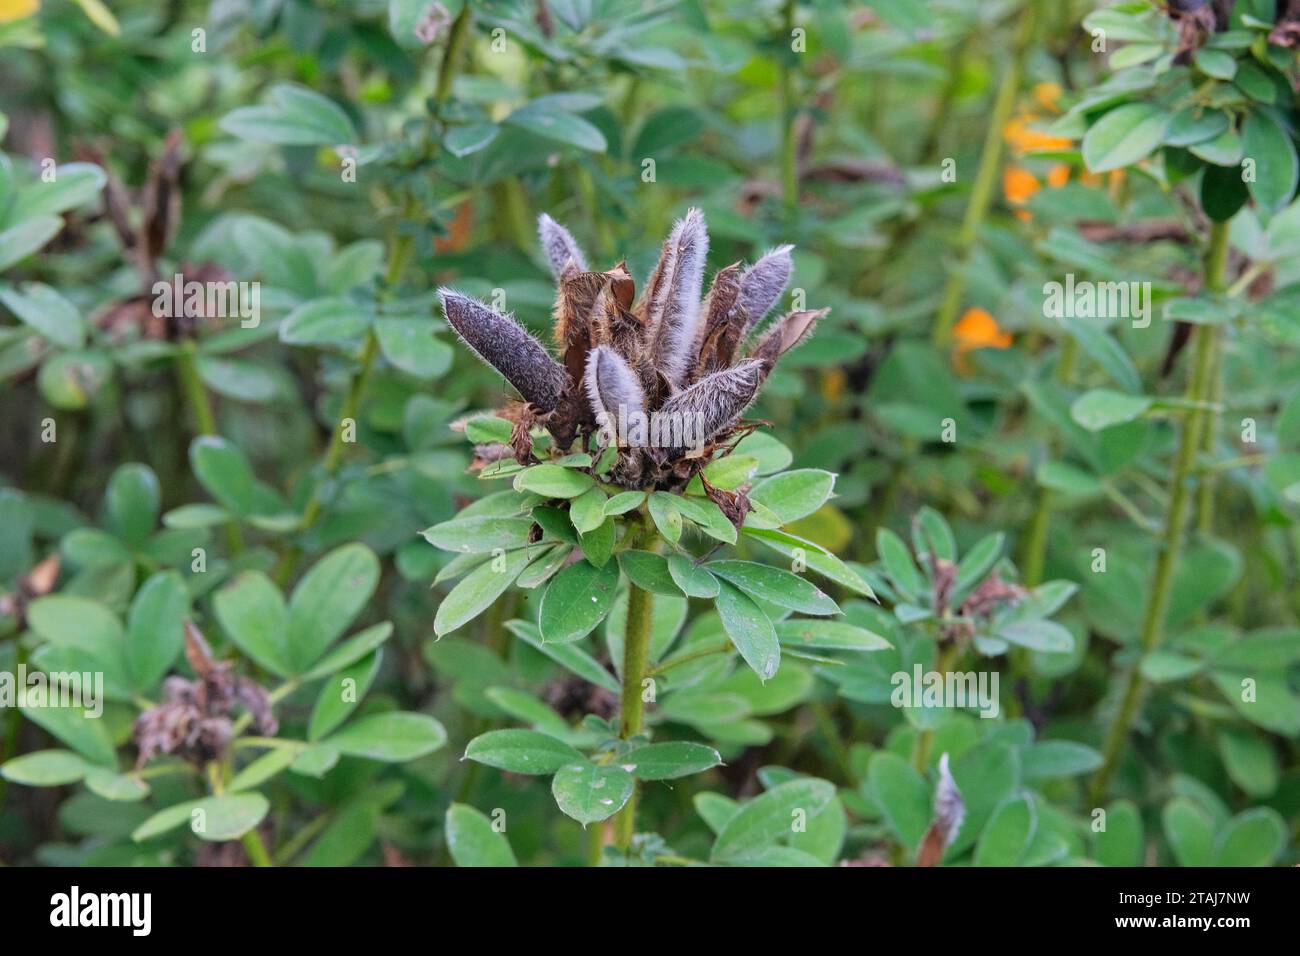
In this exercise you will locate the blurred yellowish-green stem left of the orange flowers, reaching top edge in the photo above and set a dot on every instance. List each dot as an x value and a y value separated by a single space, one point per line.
986 178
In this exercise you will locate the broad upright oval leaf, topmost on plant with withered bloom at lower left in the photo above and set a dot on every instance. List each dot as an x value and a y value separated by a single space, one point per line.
327 600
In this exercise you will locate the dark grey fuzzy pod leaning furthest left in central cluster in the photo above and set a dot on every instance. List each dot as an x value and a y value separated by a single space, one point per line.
505 345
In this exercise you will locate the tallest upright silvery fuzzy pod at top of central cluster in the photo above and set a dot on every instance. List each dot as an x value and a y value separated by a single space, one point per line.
673 299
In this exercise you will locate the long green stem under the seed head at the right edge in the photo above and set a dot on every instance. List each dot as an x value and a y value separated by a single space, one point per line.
1176 518
